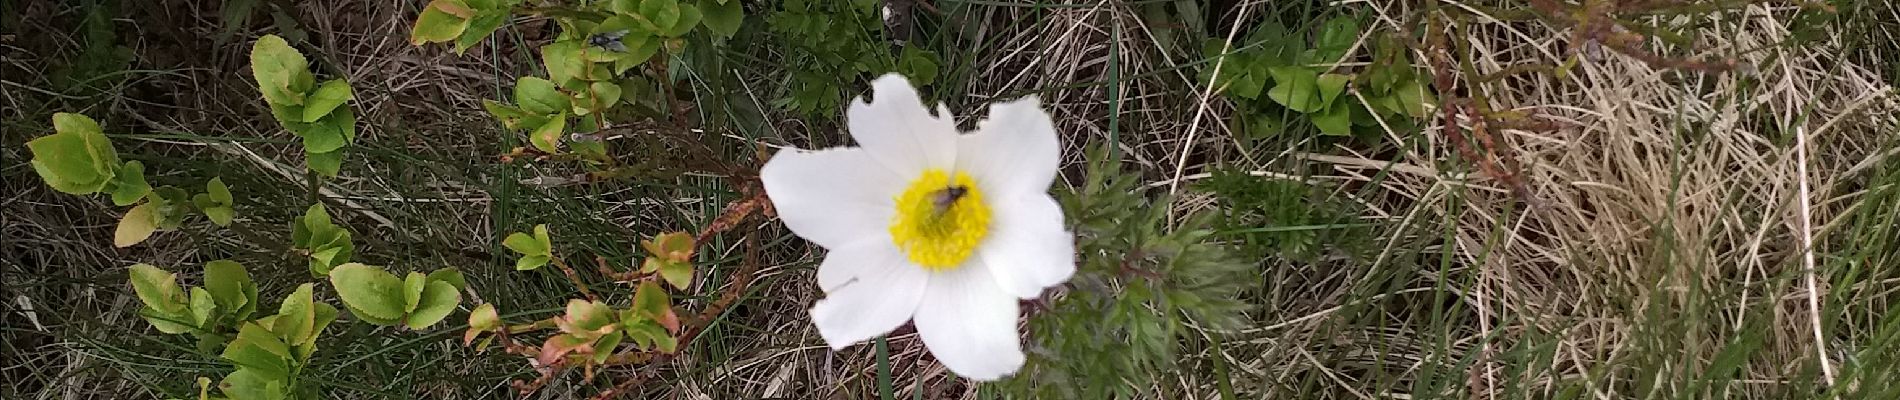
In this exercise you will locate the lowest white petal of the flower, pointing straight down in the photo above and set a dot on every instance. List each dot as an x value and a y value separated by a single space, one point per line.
970 325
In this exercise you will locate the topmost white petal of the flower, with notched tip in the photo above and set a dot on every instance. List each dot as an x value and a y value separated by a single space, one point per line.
900 130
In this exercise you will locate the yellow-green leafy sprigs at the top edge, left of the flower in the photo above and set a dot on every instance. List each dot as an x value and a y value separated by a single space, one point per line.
588 62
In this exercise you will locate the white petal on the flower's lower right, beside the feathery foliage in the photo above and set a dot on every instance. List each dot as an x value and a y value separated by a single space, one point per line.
1029 249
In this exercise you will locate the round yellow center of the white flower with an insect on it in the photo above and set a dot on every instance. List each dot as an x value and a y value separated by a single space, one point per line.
940 221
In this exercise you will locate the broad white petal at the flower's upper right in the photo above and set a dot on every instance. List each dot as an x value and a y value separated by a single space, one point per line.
1014 153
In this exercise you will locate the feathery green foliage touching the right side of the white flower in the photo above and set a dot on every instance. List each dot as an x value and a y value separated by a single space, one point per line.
1137 285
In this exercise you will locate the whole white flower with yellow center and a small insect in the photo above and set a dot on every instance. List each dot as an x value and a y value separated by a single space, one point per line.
930 227
